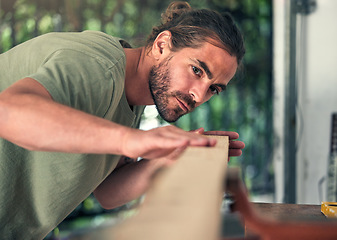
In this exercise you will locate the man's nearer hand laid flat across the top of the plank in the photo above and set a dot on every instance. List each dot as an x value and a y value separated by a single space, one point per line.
160 142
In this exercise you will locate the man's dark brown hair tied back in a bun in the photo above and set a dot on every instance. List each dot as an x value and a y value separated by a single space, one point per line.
192 27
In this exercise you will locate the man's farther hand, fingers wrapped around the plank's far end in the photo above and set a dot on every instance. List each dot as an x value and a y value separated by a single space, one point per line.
235 147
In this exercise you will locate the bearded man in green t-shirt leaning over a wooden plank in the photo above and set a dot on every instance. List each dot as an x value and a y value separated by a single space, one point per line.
70 104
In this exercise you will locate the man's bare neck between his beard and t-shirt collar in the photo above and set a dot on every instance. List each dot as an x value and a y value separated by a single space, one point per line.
138 66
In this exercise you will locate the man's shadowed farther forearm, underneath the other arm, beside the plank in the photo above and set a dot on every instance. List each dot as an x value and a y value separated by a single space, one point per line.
127 183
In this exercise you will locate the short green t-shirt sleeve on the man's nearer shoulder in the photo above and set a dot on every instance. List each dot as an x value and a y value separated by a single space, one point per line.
77 80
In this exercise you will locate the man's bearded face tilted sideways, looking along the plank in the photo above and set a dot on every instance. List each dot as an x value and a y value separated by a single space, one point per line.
185 79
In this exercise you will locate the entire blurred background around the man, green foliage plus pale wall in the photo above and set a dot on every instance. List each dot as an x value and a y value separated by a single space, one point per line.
282 103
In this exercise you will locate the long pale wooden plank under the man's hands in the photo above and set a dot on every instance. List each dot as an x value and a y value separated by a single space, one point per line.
185 199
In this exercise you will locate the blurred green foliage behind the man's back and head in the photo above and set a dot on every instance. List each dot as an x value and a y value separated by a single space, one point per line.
246 107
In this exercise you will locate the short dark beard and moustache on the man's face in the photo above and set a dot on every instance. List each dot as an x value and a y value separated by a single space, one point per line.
159 84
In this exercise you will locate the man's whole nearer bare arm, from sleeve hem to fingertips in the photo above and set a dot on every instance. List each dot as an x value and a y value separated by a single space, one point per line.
31 119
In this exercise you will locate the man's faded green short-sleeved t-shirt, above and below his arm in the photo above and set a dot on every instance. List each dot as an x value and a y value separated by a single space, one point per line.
85 71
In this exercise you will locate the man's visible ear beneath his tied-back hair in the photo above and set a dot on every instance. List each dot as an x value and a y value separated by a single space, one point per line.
161 45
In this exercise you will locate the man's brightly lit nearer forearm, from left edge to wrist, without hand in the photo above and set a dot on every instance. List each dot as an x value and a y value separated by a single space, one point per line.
36 122
